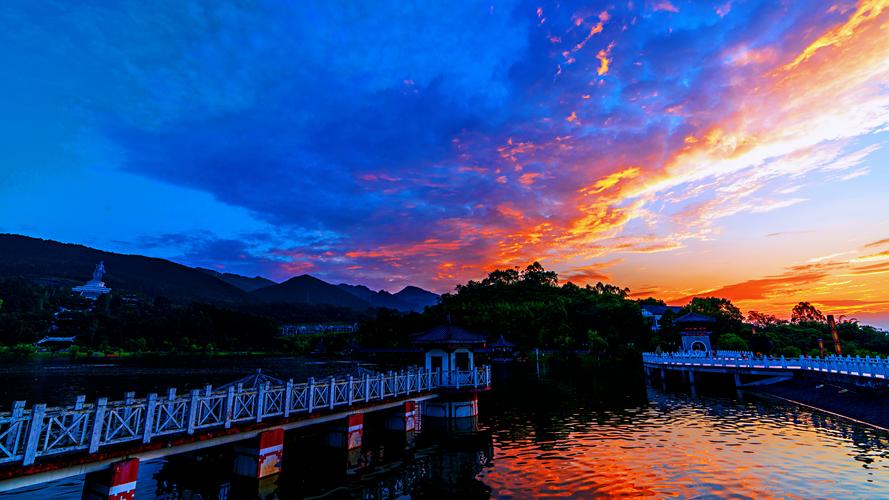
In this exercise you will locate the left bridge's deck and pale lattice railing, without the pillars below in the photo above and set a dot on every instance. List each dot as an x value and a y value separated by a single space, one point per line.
85 437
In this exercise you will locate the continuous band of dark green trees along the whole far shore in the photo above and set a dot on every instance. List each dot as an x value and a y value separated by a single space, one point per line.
529 307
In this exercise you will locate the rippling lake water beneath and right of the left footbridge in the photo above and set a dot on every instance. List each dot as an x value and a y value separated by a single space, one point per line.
575 434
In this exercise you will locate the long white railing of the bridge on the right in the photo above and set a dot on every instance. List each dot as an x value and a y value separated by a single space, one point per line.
870 367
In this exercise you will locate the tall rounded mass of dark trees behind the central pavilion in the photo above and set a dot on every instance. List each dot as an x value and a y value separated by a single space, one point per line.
530 308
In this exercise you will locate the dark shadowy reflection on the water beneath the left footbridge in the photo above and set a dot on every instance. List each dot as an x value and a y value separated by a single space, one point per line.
442 459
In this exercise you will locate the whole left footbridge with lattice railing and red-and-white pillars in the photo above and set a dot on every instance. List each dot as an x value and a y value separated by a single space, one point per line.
108 440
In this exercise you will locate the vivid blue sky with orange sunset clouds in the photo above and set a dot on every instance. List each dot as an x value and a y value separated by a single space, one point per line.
730 148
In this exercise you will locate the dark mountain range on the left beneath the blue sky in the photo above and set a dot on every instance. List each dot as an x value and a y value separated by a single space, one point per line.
71 264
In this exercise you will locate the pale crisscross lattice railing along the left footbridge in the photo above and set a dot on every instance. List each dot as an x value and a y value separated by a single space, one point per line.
28 434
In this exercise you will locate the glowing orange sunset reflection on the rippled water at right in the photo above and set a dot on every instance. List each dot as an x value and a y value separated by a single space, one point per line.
750 451
